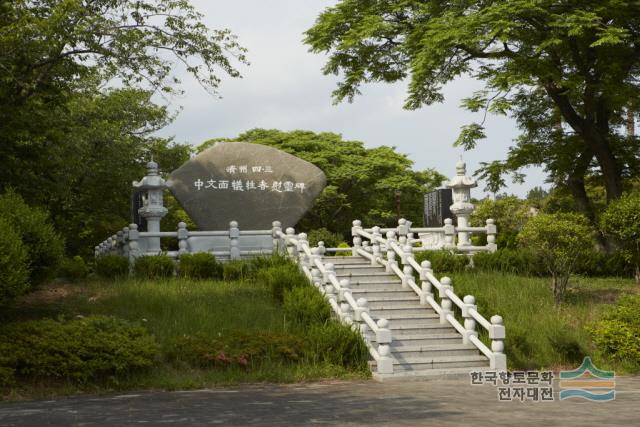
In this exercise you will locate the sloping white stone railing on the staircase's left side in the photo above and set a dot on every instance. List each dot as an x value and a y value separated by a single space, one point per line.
338 294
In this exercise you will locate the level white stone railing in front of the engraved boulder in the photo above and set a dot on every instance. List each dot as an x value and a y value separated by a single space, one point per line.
229 244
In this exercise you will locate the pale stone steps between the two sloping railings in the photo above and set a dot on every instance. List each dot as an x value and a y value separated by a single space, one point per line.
422 346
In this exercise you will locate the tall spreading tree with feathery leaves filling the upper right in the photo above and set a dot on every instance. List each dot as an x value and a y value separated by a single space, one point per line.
576 59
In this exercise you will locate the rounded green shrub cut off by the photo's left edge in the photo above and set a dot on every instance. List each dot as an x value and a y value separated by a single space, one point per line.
14 264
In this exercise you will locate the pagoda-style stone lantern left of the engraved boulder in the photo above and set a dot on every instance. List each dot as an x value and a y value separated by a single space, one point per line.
152 209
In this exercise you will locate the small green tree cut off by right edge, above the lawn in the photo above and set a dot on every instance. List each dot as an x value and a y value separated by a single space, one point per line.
621 220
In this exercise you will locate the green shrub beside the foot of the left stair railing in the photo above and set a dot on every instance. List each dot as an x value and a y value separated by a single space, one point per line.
337 344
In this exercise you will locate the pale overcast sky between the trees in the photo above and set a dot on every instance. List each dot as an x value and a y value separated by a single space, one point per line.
284 88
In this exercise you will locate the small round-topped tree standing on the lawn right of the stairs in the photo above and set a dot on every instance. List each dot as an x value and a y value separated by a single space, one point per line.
560 240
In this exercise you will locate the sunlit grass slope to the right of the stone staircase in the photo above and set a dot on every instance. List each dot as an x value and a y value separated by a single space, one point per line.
540 335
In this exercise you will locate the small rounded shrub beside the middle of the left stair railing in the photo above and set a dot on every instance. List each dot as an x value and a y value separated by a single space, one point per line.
305 305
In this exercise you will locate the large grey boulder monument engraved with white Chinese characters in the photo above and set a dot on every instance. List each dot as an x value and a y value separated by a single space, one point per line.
250 183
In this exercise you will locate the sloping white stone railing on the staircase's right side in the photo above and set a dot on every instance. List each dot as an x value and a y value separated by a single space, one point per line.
384 251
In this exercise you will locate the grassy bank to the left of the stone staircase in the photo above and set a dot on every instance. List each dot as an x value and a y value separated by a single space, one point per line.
171 309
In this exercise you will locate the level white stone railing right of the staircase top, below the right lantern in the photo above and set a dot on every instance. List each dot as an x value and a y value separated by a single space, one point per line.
448 236
